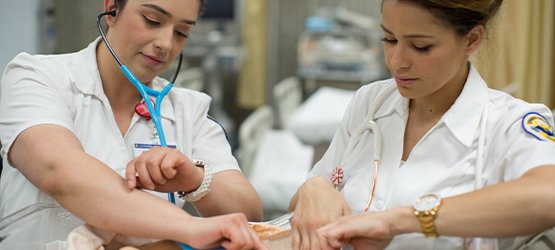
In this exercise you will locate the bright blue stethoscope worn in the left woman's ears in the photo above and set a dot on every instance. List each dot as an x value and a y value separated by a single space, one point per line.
144 90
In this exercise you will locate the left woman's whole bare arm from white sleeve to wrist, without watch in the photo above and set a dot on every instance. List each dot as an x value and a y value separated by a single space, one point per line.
52 158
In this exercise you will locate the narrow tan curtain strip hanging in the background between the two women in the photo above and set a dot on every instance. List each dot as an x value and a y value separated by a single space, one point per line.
251 91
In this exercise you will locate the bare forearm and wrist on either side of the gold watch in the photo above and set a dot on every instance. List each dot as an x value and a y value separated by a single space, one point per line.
520 207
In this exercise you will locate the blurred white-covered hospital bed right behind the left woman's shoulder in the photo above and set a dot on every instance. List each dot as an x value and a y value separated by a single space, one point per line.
275 161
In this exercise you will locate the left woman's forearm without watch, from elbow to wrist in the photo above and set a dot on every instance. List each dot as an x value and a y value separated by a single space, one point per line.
110 205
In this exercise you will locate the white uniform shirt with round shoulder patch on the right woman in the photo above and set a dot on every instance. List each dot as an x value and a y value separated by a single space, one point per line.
443 161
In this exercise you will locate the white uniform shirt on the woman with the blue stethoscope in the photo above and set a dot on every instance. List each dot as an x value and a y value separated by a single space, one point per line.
66 90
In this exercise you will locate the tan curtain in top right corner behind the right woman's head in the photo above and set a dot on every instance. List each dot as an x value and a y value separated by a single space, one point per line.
519 53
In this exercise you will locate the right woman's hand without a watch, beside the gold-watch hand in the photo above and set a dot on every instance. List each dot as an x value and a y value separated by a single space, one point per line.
317 204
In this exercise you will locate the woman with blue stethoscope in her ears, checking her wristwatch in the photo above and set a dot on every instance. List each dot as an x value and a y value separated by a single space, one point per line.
73 125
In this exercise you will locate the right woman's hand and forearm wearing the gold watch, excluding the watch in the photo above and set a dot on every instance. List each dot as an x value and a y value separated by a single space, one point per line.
519 207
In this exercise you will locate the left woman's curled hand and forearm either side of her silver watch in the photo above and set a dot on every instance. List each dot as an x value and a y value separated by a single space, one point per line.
168 170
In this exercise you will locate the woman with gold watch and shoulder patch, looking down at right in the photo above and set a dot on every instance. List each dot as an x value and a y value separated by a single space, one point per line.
412 150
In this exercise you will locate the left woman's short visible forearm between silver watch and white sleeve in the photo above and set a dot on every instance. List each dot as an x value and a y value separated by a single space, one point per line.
230 197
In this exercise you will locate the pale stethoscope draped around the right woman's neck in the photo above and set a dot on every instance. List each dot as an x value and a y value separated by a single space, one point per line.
370 125
